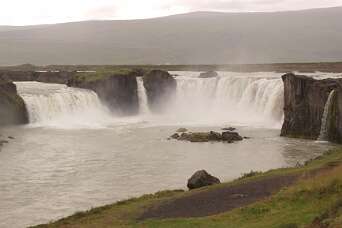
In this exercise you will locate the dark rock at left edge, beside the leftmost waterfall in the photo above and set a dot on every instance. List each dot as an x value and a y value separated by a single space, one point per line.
12 106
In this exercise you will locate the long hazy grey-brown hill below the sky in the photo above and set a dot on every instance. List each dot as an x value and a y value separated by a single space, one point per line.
194 38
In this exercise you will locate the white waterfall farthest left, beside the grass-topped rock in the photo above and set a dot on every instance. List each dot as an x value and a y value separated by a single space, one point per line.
62 106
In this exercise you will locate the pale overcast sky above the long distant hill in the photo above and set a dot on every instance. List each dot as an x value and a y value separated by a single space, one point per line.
25 12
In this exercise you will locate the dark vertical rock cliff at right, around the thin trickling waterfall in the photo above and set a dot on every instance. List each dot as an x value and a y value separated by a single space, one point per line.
305 99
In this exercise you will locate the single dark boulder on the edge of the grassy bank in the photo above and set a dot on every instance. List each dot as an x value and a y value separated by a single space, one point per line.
201 179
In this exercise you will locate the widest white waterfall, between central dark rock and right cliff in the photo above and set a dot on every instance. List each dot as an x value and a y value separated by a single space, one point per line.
243 100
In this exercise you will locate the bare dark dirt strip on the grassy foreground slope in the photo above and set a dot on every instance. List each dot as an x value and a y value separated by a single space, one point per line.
219 200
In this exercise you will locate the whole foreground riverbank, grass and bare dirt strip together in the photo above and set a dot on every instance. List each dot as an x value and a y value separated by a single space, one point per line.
309 196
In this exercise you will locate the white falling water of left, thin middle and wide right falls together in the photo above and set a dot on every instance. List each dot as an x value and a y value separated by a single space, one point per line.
247 99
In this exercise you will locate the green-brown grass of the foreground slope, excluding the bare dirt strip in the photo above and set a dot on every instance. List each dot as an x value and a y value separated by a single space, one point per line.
317 197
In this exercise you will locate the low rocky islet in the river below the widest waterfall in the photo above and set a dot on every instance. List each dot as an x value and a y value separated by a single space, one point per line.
212 136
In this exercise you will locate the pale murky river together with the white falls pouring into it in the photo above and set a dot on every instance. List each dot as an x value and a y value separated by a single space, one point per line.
74 155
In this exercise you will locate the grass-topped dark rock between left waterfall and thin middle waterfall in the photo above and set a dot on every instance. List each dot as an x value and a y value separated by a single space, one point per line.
116 91
